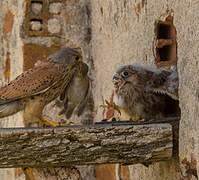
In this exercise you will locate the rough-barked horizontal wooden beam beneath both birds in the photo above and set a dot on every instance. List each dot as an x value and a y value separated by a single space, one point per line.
85 145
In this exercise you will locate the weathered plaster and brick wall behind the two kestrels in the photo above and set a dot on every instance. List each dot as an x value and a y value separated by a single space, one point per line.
110 33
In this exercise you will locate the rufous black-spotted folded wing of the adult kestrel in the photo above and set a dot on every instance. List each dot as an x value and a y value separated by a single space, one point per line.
32 82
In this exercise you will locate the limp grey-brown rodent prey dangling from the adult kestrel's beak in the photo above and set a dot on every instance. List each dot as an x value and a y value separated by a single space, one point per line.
76 95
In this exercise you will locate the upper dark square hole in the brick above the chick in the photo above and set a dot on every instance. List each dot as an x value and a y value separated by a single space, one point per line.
163 31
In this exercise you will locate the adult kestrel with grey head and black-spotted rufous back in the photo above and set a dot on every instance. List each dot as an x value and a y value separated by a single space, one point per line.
35 88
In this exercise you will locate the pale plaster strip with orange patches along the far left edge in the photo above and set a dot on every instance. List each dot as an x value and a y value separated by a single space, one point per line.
11 62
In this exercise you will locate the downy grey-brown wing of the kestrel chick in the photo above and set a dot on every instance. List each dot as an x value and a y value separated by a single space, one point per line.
165 82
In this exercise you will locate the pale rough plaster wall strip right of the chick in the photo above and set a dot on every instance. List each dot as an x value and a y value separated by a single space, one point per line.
188 62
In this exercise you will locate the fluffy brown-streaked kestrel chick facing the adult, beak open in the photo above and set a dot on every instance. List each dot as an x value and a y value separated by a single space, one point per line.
146 92
